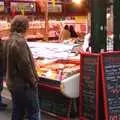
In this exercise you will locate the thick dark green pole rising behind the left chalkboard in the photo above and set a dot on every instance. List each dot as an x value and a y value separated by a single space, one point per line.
98 25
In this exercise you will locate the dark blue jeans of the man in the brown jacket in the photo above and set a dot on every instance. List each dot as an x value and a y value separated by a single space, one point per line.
25 100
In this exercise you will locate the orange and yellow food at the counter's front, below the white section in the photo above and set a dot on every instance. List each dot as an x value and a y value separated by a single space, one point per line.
57 70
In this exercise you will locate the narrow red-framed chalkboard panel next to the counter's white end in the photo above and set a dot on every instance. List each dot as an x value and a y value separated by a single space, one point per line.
89 88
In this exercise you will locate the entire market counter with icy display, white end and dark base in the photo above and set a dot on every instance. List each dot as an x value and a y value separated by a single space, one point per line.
59 78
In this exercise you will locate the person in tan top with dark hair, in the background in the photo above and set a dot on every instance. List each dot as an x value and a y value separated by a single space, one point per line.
65 33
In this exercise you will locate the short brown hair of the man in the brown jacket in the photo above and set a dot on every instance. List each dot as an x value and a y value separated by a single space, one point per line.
19 24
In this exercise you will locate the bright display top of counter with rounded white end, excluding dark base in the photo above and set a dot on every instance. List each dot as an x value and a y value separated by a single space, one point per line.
57 65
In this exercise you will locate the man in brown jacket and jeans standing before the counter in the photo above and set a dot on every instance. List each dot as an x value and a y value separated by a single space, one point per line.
21 75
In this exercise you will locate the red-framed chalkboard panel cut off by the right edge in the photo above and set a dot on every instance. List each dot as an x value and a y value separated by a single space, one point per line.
111 84
